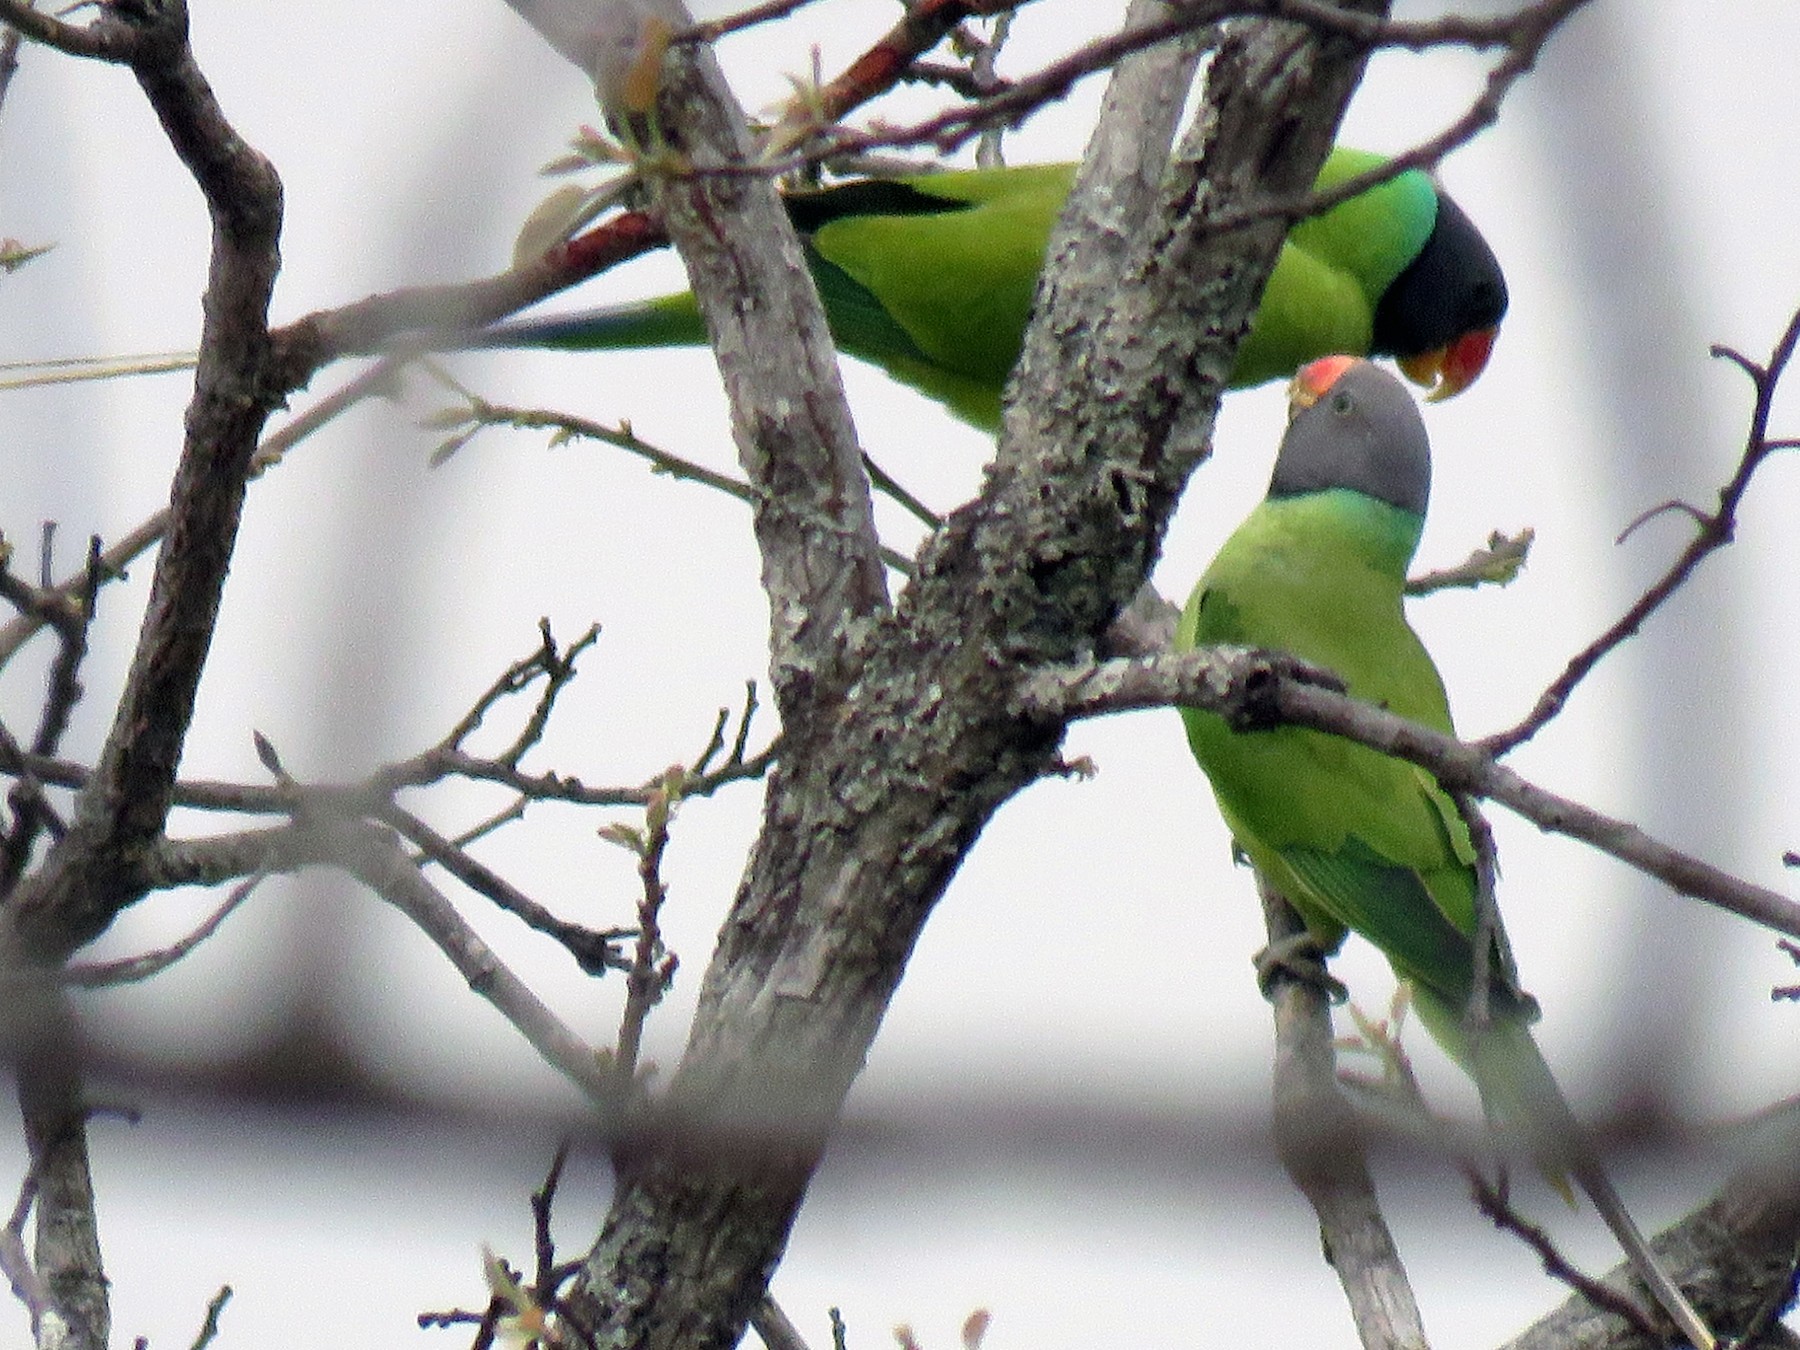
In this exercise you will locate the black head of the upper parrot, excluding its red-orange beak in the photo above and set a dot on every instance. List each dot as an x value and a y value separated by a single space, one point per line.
1453 289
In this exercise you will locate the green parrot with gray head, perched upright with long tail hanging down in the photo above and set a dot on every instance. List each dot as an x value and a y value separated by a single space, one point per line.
1353 838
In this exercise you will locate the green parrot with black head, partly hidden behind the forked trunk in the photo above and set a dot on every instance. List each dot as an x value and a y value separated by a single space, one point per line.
931 278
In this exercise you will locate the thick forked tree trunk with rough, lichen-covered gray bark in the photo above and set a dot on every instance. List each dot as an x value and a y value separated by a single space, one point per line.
903 735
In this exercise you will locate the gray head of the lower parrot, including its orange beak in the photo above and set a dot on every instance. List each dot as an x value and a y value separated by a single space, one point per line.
1354 426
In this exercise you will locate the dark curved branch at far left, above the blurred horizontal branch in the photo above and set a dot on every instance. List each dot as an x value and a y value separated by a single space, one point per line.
93 870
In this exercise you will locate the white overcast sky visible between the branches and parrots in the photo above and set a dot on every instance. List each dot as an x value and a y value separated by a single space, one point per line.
1642 195
